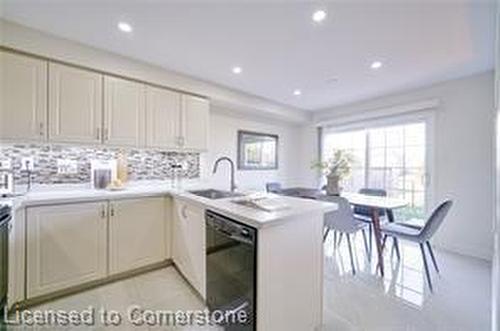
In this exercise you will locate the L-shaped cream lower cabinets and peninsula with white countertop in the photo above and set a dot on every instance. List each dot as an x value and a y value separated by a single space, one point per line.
65 240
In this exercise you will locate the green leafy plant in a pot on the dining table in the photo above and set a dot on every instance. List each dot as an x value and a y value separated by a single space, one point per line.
335 169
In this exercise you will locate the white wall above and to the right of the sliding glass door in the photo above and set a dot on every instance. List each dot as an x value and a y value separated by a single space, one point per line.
464 156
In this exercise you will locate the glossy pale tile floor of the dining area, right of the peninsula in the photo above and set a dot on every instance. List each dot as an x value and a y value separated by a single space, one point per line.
401 301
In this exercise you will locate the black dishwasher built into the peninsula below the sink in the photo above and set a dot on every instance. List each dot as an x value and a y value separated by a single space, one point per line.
231 269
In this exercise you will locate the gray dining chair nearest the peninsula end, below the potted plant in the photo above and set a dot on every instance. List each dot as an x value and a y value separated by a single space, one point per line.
342 221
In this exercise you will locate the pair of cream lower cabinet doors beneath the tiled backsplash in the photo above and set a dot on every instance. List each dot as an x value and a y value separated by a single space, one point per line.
72 244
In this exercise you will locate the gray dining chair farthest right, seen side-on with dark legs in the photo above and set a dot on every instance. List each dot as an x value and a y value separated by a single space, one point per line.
420 235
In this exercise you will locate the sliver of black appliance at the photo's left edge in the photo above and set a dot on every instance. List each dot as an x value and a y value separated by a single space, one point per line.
5 217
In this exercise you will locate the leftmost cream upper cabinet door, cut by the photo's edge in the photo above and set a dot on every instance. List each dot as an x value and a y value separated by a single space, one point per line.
23 97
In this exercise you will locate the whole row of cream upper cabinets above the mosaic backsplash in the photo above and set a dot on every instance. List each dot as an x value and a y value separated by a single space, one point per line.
48 101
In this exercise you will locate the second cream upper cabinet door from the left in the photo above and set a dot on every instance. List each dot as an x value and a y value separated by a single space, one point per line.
75 105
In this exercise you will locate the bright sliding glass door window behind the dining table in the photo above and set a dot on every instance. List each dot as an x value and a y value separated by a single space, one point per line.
391 158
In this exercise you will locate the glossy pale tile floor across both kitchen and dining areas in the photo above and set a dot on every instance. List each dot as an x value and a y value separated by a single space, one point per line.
400 301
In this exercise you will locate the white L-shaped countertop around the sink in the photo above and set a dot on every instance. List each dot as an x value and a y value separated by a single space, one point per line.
59 194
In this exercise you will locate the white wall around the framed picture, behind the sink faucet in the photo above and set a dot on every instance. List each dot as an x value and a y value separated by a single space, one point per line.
224 125
